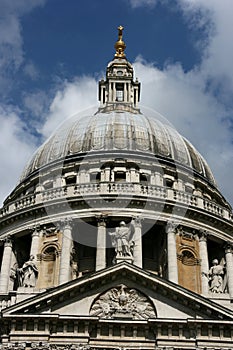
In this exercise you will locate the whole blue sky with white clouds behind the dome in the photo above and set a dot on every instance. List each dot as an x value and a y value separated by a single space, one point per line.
52 53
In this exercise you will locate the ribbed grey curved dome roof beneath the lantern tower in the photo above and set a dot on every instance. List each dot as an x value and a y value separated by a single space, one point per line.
118 130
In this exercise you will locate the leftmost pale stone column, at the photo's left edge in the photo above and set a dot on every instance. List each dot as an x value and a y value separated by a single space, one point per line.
6 266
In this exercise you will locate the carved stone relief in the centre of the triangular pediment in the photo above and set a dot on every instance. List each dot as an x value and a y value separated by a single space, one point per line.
123 302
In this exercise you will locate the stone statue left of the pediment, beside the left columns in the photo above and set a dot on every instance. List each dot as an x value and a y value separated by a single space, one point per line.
28 273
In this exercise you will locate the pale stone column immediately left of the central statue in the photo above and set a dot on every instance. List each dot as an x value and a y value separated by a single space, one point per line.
101 244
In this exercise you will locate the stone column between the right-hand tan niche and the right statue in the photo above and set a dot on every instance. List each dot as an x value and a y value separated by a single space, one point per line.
204 262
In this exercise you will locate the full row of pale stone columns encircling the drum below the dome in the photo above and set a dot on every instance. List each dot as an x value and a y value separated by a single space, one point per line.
67 245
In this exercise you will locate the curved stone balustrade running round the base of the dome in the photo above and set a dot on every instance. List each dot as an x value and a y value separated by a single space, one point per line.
111 188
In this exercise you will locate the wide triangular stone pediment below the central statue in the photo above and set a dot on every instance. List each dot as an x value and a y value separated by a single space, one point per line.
121 290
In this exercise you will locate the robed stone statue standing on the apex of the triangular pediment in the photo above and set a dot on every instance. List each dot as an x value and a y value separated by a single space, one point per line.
122 240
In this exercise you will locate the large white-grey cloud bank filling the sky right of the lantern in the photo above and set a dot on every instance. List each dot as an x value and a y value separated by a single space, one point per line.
199 102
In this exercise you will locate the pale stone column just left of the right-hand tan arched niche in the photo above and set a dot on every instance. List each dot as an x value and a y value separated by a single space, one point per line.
171 252
